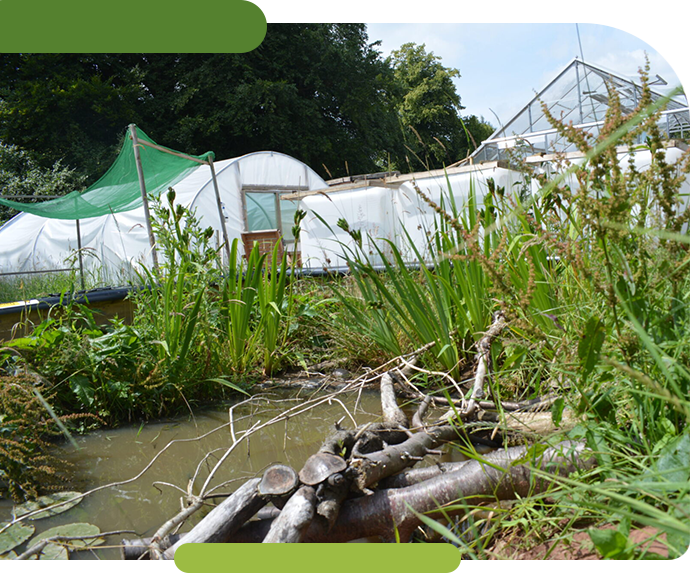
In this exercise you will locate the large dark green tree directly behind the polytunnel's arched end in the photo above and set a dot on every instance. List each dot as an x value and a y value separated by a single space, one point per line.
317 92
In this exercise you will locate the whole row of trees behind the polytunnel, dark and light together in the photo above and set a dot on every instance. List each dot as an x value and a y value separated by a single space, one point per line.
319 92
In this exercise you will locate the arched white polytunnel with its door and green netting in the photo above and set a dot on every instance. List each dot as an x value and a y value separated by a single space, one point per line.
107 223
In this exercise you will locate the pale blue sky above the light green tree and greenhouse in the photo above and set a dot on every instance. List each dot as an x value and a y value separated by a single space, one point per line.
503 65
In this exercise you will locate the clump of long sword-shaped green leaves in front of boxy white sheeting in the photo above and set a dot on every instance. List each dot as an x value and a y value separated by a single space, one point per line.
488 267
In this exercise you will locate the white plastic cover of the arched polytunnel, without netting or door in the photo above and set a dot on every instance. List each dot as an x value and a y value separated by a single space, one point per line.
113 246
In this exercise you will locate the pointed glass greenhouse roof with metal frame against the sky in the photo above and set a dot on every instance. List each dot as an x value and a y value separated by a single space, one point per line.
578 94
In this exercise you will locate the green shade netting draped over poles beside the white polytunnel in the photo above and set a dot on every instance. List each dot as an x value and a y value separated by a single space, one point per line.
118 190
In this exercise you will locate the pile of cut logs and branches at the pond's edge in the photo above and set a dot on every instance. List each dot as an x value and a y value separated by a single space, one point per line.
361 483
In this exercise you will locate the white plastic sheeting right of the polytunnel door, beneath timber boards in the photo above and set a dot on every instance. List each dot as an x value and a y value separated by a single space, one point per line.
391 212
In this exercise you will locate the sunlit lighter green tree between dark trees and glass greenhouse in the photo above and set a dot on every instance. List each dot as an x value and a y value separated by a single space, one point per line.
428 108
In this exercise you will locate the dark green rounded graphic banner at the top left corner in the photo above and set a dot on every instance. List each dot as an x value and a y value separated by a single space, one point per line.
131 26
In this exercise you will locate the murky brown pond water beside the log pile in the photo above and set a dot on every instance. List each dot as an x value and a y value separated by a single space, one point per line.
110 456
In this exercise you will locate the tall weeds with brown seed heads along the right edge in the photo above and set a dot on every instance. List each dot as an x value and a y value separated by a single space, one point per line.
622 271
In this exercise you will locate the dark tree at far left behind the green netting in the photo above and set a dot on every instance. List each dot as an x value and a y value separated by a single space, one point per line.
68 107
